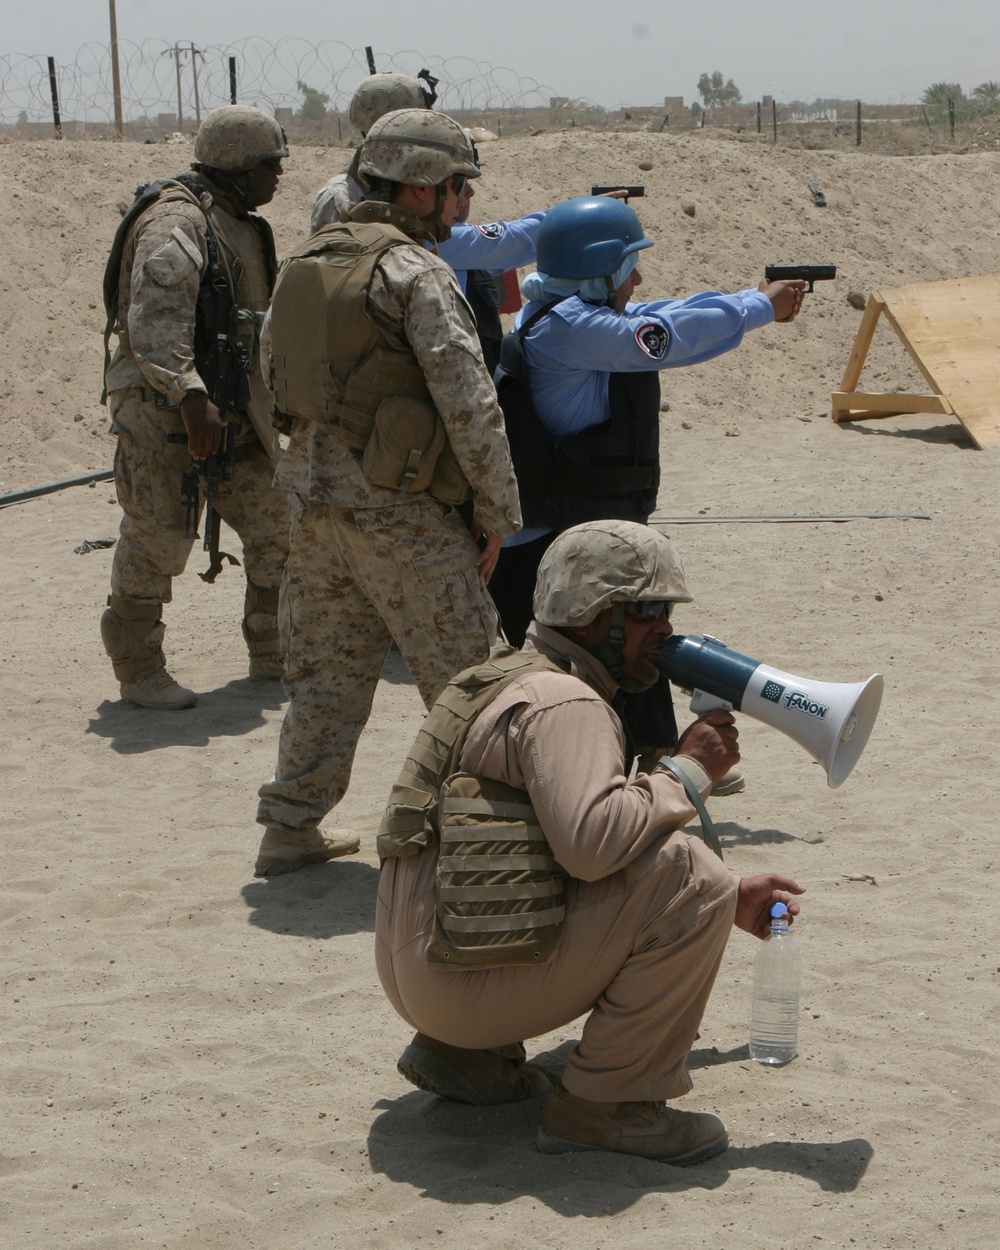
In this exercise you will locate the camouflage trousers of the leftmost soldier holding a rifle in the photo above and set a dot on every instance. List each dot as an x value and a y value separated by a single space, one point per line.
152 548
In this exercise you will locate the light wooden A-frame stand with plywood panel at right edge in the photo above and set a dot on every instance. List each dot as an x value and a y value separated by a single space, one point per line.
952 331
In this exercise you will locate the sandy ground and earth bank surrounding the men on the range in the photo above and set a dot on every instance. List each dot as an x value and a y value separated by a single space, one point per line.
194 1059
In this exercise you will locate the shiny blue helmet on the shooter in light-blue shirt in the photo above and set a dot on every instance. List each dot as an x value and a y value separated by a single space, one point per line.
589 237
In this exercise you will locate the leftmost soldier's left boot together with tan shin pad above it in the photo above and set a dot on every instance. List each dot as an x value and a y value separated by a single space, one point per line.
133 636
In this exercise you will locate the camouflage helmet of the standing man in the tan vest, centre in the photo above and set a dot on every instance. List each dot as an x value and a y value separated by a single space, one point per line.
417 148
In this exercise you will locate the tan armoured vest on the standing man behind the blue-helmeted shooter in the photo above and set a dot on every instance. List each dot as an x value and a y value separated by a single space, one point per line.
332 364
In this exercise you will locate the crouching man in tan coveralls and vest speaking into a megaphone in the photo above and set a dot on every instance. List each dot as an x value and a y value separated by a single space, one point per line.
527 882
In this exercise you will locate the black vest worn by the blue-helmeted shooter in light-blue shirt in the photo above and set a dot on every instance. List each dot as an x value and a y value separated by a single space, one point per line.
608 472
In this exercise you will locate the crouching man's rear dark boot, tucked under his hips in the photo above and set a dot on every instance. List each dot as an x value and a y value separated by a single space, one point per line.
483 1078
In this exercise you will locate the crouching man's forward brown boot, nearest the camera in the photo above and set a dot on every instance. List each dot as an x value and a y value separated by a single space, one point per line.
649 1129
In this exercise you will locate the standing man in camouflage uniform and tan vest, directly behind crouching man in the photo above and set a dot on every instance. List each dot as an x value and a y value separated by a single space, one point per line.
398 464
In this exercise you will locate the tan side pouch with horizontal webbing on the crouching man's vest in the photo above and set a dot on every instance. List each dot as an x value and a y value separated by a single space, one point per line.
501 892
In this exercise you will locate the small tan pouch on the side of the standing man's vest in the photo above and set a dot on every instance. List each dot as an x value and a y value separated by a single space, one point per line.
406 443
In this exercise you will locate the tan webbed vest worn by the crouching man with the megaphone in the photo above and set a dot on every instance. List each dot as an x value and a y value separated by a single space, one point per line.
501 891
